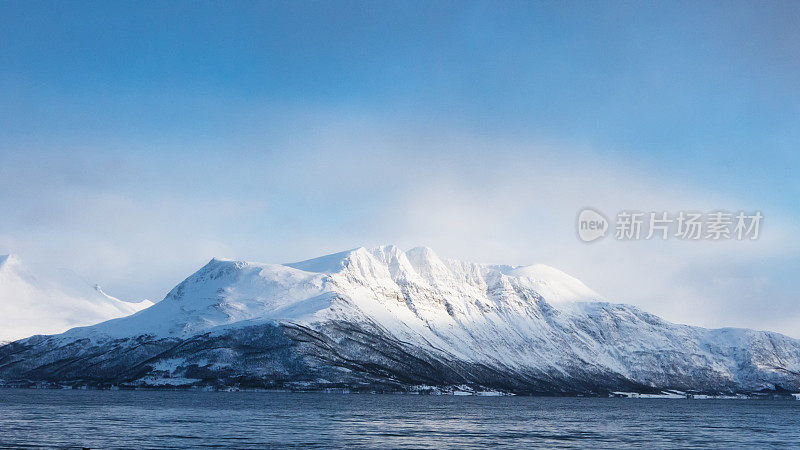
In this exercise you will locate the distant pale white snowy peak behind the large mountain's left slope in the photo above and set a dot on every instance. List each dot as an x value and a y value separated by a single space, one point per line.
35 304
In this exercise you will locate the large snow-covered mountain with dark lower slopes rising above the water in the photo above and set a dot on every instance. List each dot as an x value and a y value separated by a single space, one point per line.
388 319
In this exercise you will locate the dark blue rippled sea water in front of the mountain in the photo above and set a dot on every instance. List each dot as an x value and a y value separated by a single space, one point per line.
137 419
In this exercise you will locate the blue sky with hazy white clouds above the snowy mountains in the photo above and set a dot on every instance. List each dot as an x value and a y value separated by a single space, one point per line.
140 139
